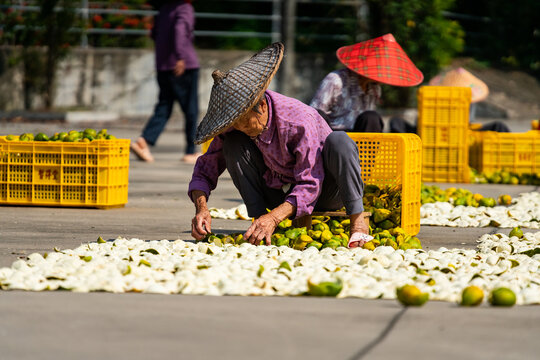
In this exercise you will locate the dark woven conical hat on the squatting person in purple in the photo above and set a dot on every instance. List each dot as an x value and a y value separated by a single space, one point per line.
235 92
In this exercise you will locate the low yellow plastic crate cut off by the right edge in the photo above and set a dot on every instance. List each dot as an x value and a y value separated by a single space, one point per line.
515 152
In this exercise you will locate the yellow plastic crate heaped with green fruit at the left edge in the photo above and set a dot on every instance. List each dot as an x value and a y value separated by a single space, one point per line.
93 174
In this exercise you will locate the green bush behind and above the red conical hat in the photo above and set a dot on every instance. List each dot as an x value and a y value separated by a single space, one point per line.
429 39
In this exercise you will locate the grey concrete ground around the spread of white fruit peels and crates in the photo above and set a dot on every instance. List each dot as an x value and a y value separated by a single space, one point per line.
63 325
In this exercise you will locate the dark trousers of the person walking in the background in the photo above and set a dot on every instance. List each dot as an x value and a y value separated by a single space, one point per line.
184 89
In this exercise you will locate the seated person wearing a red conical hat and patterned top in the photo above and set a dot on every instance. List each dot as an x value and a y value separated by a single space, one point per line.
347 98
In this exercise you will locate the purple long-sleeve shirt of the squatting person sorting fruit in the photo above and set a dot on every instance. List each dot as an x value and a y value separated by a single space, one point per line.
291 149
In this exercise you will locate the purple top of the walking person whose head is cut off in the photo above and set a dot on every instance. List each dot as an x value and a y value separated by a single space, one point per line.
173 36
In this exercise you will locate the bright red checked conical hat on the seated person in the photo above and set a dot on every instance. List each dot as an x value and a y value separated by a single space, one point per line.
381 59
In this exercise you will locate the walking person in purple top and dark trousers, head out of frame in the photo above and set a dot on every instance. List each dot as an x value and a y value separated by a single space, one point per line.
177 69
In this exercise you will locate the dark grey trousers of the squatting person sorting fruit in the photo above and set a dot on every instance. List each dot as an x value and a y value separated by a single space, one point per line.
342 185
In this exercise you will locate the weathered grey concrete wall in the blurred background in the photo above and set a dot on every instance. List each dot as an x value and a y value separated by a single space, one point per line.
123 80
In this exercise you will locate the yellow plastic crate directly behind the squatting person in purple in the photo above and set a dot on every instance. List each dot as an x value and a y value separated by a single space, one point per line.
390 160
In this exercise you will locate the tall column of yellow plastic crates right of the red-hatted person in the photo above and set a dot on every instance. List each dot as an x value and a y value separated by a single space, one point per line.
443 126
